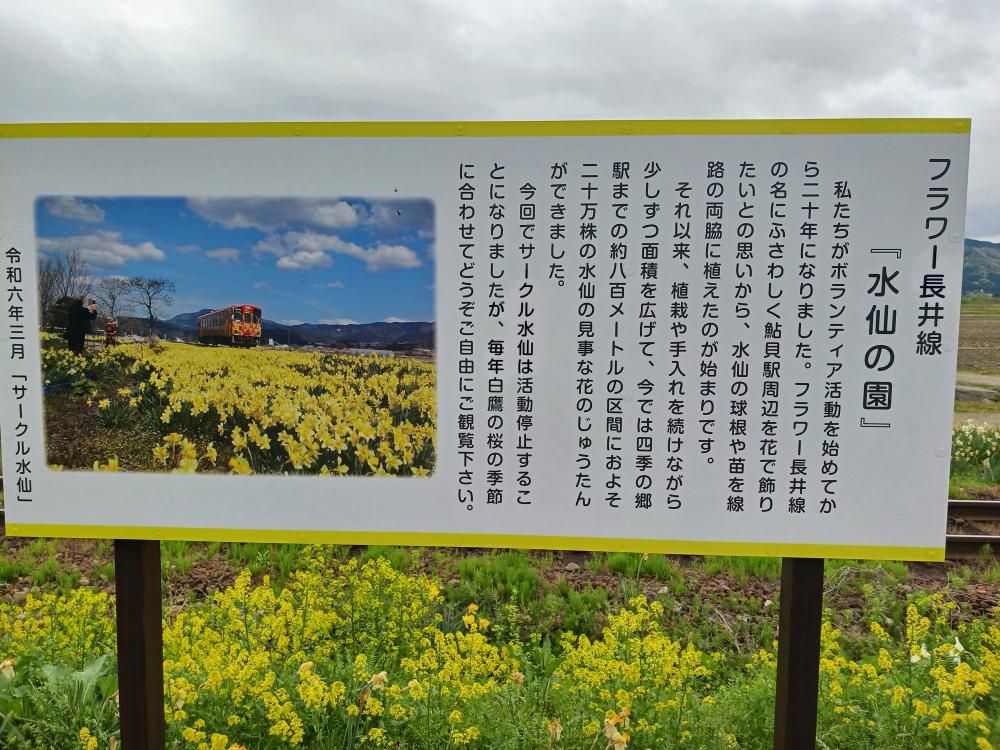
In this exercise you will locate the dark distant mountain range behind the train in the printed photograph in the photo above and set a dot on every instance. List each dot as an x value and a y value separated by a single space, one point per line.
362 335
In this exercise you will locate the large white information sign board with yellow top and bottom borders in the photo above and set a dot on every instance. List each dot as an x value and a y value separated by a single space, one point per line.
732 337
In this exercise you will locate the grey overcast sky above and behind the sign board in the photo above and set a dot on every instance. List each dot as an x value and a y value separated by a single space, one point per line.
461 59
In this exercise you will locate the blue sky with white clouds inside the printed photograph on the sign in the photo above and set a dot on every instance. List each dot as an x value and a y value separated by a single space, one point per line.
309 260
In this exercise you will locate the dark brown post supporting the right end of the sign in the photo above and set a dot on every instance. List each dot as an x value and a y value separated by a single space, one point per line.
799 624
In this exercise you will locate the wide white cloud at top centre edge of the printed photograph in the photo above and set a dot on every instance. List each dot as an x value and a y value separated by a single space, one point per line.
268 214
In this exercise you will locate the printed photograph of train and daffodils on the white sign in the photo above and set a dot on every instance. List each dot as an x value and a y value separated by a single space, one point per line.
224 387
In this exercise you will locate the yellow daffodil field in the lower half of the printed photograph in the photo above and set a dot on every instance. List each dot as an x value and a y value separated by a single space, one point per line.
182 408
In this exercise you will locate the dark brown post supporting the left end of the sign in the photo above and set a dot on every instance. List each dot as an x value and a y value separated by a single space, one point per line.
139 614
